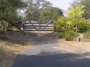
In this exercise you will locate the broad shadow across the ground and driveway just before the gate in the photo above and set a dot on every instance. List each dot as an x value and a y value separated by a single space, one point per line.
29 38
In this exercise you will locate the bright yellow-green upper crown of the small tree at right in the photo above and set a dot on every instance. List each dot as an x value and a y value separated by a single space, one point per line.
76 11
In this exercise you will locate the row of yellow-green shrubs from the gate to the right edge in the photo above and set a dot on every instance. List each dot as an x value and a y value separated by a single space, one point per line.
64 24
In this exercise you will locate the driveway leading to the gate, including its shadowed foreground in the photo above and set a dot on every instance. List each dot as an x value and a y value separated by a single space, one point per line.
48 51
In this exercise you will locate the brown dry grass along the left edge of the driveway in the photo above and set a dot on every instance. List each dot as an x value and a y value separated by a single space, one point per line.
8 52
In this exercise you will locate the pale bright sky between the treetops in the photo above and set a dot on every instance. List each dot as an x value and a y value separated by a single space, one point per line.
62 4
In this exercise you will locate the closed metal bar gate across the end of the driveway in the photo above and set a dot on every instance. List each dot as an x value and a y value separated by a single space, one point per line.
29 25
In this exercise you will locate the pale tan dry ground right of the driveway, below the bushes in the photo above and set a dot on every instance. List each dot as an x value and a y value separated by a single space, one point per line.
74 47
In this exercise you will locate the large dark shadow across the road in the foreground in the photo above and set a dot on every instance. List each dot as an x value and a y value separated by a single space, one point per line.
52 60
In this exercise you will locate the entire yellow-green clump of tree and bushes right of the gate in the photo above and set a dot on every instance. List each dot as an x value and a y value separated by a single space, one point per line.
74 23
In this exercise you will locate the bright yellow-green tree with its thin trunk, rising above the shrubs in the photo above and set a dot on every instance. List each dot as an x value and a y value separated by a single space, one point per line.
75 13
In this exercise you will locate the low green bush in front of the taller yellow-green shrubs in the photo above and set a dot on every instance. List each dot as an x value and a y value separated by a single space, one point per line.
68 35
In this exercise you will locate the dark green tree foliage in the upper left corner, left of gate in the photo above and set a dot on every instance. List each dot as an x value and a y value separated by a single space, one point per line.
8 11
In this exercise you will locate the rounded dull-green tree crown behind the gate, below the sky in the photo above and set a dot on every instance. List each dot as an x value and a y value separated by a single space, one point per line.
50 13
